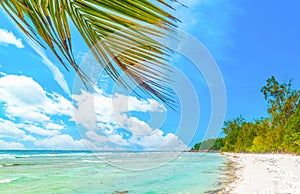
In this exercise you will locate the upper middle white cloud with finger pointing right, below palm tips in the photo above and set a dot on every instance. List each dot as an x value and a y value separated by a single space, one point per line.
109 109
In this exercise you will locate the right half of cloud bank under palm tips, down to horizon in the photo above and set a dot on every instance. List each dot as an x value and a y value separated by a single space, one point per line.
103 115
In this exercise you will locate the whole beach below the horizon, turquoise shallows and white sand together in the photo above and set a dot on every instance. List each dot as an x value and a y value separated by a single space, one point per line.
113 172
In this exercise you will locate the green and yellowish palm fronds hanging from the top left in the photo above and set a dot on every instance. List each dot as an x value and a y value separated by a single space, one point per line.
112 25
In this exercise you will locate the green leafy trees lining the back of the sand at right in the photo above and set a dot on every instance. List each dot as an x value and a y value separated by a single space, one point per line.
280 132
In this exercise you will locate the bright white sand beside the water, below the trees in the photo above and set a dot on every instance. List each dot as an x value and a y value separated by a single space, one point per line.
266 173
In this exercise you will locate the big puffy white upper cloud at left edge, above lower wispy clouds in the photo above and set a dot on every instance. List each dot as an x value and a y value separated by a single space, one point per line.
26 99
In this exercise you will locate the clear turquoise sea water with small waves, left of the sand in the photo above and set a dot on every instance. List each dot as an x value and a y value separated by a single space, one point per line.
109 172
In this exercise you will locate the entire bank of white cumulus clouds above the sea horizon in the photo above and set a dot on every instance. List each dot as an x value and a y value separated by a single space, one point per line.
30 111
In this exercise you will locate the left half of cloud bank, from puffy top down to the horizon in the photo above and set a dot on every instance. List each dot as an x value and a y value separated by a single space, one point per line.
29 109
